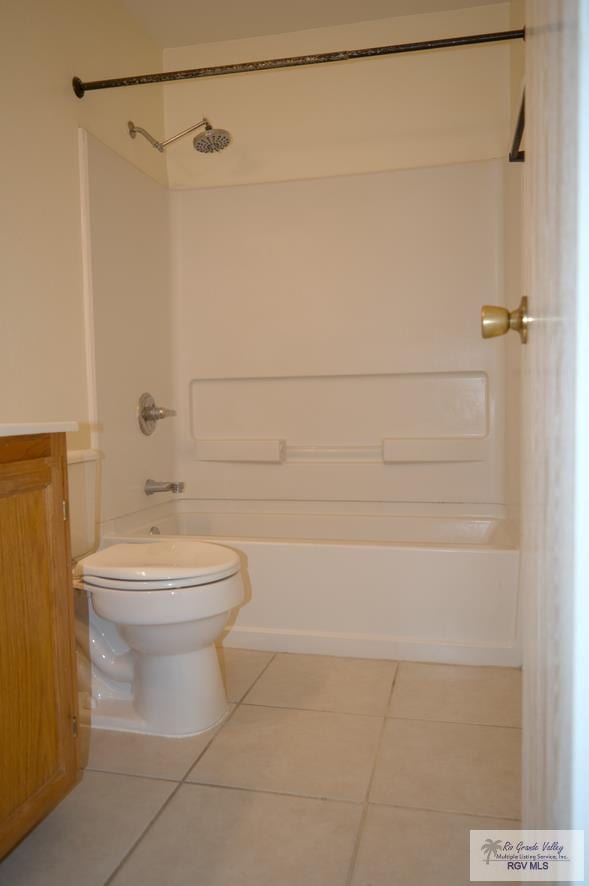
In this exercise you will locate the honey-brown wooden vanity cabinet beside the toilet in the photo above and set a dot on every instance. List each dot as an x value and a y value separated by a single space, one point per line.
38 695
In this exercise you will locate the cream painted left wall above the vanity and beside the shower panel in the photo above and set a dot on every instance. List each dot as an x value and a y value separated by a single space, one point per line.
42 46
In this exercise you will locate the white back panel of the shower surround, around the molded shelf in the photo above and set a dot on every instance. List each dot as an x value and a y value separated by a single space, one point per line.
379 274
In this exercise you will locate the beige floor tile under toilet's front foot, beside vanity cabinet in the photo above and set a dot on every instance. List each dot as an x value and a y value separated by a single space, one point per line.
151 755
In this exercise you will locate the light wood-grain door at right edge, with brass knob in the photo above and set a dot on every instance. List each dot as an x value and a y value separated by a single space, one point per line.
555 519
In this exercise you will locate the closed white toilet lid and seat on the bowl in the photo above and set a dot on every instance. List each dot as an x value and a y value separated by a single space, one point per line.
174 563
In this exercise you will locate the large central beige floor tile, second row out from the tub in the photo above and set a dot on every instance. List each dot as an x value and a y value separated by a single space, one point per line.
300 752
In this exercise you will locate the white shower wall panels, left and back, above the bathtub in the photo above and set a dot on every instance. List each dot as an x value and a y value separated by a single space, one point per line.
319 339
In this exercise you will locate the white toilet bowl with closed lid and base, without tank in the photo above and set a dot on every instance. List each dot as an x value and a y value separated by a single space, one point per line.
155 612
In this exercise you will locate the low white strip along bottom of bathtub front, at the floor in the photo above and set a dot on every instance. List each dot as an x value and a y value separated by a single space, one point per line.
371 646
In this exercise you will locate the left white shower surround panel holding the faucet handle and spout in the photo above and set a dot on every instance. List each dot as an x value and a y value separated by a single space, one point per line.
128 217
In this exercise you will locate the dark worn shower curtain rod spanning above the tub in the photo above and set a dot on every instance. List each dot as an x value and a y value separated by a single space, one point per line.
80 87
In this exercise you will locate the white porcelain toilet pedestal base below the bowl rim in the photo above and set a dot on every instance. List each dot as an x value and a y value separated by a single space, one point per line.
131 682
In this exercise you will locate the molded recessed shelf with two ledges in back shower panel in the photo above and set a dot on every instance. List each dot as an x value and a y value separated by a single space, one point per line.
386 418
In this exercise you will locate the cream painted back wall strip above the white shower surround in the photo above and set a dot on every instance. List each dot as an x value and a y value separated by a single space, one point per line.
414 110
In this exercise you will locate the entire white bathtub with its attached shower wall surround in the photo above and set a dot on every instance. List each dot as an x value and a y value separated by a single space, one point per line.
333 396
